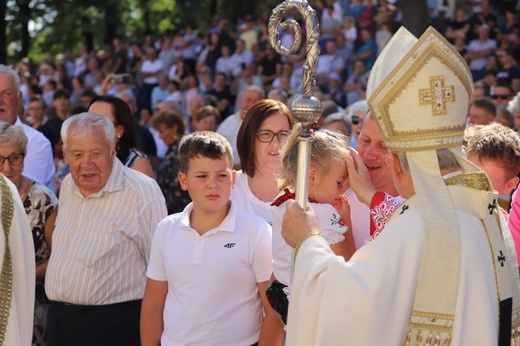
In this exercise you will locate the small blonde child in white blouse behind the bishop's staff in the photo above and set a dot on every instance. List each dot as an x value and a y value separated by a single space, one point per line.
326 184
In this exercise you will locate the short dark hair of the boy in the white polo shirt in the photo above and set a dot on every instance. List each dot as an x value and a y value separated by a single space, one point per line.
202 144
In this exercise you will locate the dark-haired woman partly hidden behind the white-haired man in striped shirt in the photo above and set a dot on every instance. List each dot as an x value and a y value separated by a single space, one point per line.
127 147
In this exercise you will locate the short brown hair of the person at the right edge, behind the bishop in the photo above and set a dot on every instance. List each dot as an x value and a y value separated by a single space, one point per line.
498 143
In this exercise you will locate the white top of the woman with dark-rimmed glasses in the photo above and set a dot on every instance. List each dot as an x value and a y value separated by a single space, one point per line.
246 201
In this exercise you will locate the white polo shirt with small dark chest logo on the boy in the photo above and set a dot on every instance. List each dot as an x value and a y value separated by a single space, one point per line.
212 279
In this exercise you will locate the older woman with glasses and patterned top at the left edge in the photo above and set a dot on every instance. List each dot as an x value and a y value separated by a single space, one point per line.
40 206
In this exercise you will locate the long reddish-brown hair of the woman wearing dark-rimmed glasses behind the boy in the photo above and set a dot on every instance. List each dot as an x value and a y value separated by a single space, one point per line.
246 137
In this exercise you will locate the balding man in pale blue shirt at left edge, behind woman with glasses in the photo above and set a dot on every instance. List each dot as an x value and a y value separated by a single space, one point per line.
39 164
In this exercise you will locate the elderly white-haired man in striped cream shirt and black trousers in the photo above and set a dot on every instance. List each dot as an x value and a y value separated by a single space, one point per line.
101 243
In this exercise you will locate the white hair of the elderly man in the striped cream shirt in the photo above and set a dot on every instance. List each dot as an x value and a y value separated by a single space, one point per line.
86 124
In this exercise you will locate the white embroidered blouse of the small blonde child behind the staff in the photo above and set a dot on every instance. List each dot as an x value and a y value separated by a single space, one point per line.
330 226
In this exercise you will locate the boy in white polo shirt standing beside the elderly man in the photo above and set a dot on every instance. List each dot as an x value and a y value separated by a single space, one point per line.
209 265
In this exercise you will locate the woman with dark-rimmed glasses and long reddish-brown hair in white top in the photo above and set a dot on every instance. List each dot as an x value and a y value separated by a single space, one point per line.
265 129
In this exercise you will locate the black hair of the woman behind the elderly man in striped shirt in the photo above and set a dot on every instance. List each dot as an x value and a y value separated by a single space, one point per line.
123 116
